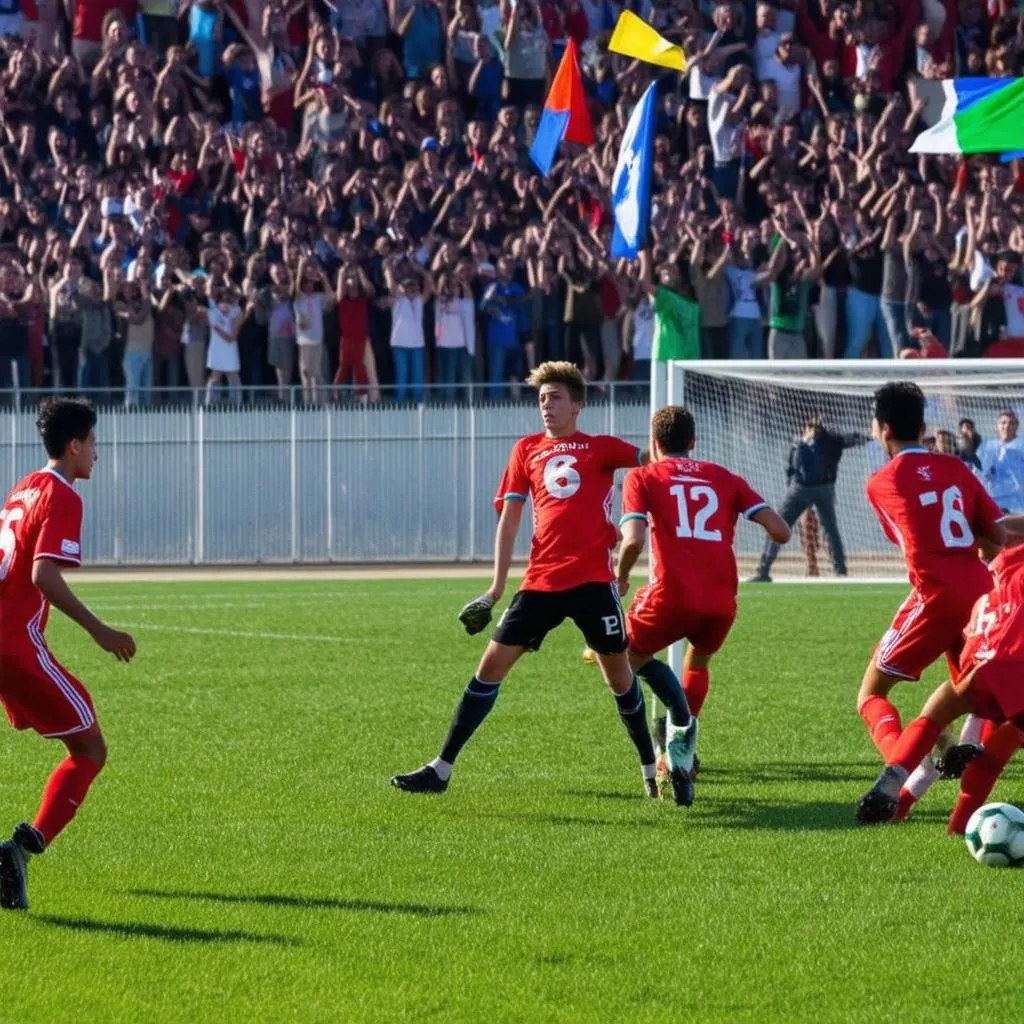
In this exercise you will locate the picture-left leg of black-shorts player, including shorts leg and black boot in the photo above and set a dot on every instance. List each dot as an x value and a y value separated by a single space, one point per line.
530 617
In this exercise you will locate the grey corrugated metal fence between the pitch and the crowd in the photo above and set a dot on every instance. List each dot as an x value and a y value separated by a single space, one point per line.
187 484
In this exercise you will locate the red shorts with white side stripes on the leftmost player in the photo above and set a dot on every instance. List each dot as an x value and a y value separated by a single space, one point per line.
38 694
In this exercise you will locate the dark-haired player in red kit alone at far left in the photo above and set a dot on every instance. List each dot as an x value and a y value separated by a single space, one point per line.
40 535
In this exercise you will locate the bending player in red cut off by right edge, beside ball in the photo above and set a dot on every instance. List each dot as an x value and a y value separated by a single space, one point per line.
990 685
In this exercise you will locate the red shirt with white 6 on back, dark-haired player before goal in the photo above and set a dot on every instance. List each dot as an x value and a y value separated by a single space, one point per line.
935 509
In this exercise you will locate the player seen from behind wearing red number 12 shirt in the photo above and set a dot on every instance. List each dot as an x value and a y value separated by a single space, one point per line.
693 508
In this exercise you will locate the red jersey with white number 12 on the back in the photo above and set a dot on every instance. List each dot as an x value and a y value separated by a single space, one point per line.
693 508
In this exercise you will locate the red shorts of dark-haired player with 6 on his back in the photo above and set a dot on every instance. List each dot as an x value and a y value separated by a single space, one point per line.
924 630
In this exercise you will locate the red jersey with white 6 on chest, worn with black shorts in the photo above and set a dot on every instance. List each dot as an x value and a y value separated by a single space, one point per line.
571 482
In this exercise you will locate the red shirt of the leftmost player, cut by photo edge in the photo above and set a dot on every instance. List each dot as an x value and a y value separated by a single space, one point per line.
41 519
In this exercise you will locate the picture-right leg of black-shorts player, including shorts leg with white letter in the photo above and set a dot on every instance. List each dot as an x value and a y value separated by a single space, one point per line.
598 612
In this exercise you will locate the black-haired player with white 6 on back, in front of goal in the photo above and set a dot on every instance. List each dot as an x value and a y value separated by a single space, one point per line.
938 513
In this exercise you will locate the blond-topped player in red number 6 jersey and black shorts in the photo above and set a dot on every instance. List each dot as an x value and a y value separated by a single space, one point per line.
570 478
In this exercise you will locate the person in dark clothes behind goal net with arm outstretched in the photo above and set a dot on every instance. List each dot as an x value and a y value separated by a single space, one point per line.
810 475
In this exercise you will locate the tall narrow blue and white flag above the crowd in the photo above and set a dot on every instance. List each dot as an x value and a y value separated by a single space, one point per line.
631 186
